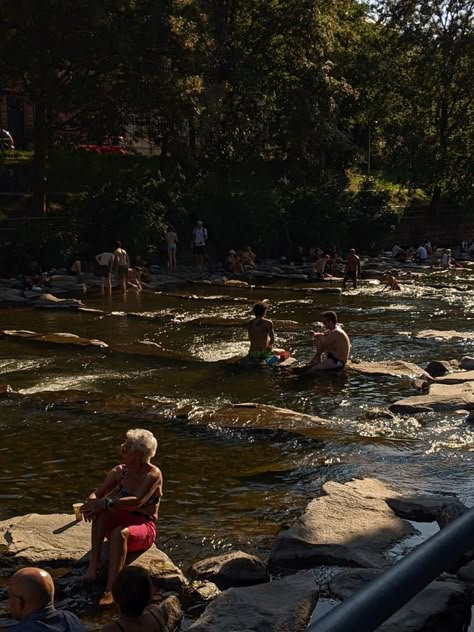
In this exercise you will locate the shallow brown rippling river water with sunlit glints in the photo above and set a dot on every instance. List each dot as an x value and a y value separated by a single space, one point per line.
230 488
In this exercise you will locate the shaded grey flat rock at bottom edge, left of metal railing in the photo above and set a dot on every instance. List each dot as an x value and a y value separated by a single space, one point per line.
278 606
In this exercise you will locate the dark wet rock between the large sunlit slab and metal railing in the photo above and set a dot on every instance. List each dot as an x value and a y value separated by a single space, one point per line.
435 508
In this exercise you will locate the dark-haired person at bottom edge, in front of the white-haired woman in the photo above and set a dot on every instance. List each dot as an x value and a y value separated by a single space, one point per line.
132 591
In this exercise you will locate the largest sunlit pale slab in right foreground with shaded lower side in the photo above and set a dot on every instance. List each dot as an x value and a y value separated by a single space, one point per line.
351 525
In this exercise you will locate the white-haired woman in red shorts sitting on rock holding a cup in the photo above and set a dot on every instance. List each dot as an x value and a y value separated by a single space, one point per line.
124 508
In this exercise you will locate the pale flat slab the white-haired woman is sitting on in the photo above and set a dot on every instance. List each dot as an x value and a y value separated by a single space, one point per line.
58 540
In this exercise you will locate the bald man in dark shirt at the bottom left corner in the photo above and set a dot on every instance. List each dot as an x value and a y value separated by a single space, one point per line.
31 601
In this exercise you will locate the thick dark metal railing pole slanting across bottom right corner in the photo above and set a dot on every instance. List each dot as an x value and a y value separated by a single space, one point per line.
383 596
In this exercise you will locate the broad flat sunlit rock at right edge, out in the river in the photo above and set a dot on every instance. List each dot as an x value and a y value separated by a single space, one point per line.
439 397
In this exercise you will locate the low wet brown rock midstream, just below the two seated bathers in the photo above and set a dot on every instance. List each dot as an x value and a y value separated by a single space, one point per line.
254 416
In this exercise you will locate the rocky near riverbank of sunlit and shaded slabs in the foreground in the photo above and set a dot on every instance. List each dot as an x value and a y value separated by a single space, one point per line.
343 539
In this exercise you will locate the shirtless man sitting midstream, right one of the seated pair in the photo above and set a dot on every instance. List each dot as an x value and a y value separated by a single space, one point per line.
334 342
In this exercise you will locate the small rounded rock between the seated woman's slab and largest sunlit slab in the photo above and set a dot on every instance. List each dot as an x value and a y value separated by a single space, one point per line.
231 569
